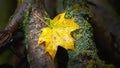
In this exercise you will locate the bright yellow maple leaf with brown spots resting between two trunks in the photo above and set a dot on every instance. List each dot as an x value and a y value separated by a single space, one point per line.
58 33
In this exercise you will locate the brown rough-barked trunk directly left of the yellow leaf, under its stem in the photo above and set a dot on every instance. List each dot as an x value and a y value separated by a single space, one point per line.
38 57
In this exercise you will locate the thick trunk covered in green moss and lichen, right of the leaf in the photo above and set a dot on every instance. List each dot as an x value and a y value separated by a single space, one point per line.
85 54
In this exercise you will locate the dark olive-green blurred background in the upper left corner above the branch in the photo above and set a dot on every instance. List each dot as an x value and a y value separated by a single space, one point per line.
7 8
